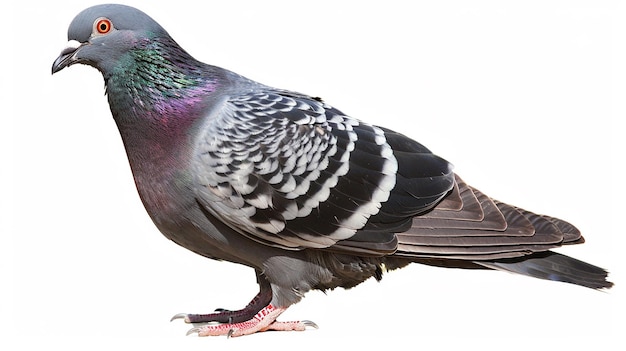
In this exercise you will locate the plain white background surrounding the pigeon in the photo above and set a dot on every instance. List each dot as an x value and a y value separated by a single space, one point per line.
524 99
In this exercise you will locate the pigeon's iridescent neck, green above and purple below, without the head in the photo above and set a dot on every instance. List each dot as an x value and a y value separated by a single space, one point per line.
157 92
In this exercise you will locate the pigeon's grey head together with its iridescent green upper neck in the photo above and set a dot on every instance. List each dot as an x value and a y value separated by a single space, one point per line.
144 69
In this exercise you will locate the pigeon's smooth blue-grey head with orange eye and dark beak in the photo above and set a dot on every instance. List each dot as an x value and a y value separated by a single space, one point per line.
101 36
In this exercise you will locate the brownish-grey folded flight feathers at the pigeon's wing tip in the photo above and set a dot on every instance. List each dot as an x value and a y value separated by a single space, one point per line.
468 225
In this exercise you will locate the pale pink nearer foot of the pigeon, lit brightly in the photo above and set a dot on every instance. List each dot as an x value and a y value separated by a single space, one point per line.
262 321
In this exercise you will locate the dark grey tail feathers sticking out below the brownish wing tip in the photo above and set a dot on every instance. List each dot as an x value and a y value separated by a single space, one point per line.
554 266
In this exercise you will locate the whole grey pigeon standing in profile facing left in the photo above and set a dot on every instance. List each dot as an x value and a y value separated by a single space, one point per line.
285 183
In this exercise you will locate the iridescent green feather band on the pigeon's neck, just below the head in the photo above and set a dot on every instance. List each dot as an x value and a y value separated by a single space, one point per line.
158 80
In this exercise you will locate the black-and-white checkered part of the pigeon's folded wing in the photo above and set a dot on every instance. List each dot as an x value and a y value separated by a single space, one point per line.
291 171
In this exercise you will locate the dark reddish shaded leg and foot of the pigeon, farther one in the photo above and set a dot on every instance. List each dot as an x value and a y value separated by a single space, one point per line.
261 300
